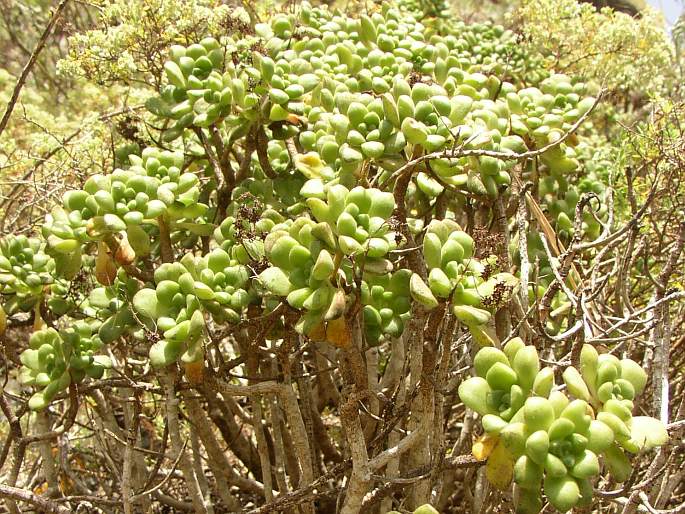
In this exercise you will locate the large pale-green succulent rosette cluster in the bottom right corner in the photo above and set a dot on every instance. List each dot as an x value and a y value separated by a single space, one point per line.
554 442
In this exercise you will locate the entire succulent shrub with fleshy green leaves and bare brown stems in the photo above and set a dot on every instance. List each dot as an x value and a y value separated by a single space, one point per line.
333 177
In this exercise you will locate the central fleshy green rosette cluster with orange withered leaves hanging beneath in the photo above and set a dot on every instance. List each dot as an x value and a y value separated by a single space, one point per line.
315 261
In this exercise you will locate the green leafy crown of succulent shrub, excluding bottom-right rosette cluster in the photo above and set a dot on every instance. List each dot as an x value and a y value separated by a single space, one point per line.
324 98
